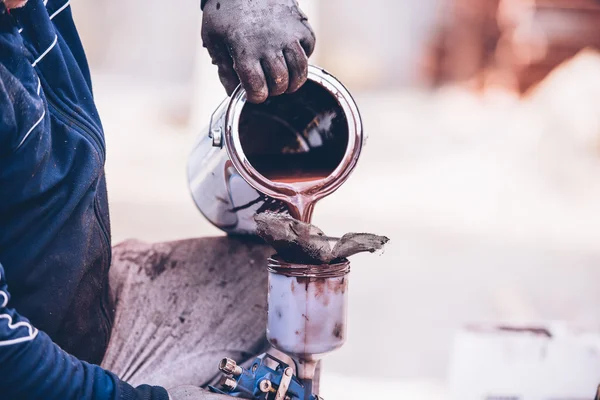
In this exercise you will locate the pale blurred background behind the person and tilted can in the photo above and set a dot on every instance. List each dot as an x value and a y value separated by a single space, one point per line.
482 166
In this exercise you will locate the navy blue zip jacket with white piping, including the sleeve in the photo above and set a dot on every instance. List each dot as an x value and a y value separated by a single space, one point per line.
54 227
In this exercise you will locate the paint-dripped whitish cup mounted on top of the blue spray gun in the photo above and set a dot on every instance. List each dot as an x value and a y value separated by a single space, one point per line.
307 310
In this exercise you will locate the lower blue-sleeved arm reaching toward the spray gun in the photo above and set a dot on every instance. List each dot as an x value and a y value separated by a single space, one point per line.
33 367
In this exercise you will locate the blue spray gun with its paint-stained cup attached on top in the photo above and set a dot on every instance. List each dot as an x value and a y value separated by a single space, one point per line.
307 311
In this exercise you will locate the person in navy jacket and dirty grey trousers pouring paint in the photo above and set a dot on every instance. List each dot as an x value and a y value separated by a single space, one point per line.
68 328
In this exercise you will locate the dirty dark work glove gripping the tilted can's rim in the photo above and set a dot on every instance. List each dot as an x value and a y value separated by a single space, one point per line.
264 44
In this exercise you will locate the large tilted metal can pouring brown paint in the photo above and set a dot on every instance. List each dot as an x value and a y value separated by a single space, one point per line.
251 156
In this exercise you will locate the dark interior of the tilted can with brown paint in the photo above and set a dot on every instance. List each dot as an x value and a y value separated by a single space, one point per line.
296 137
